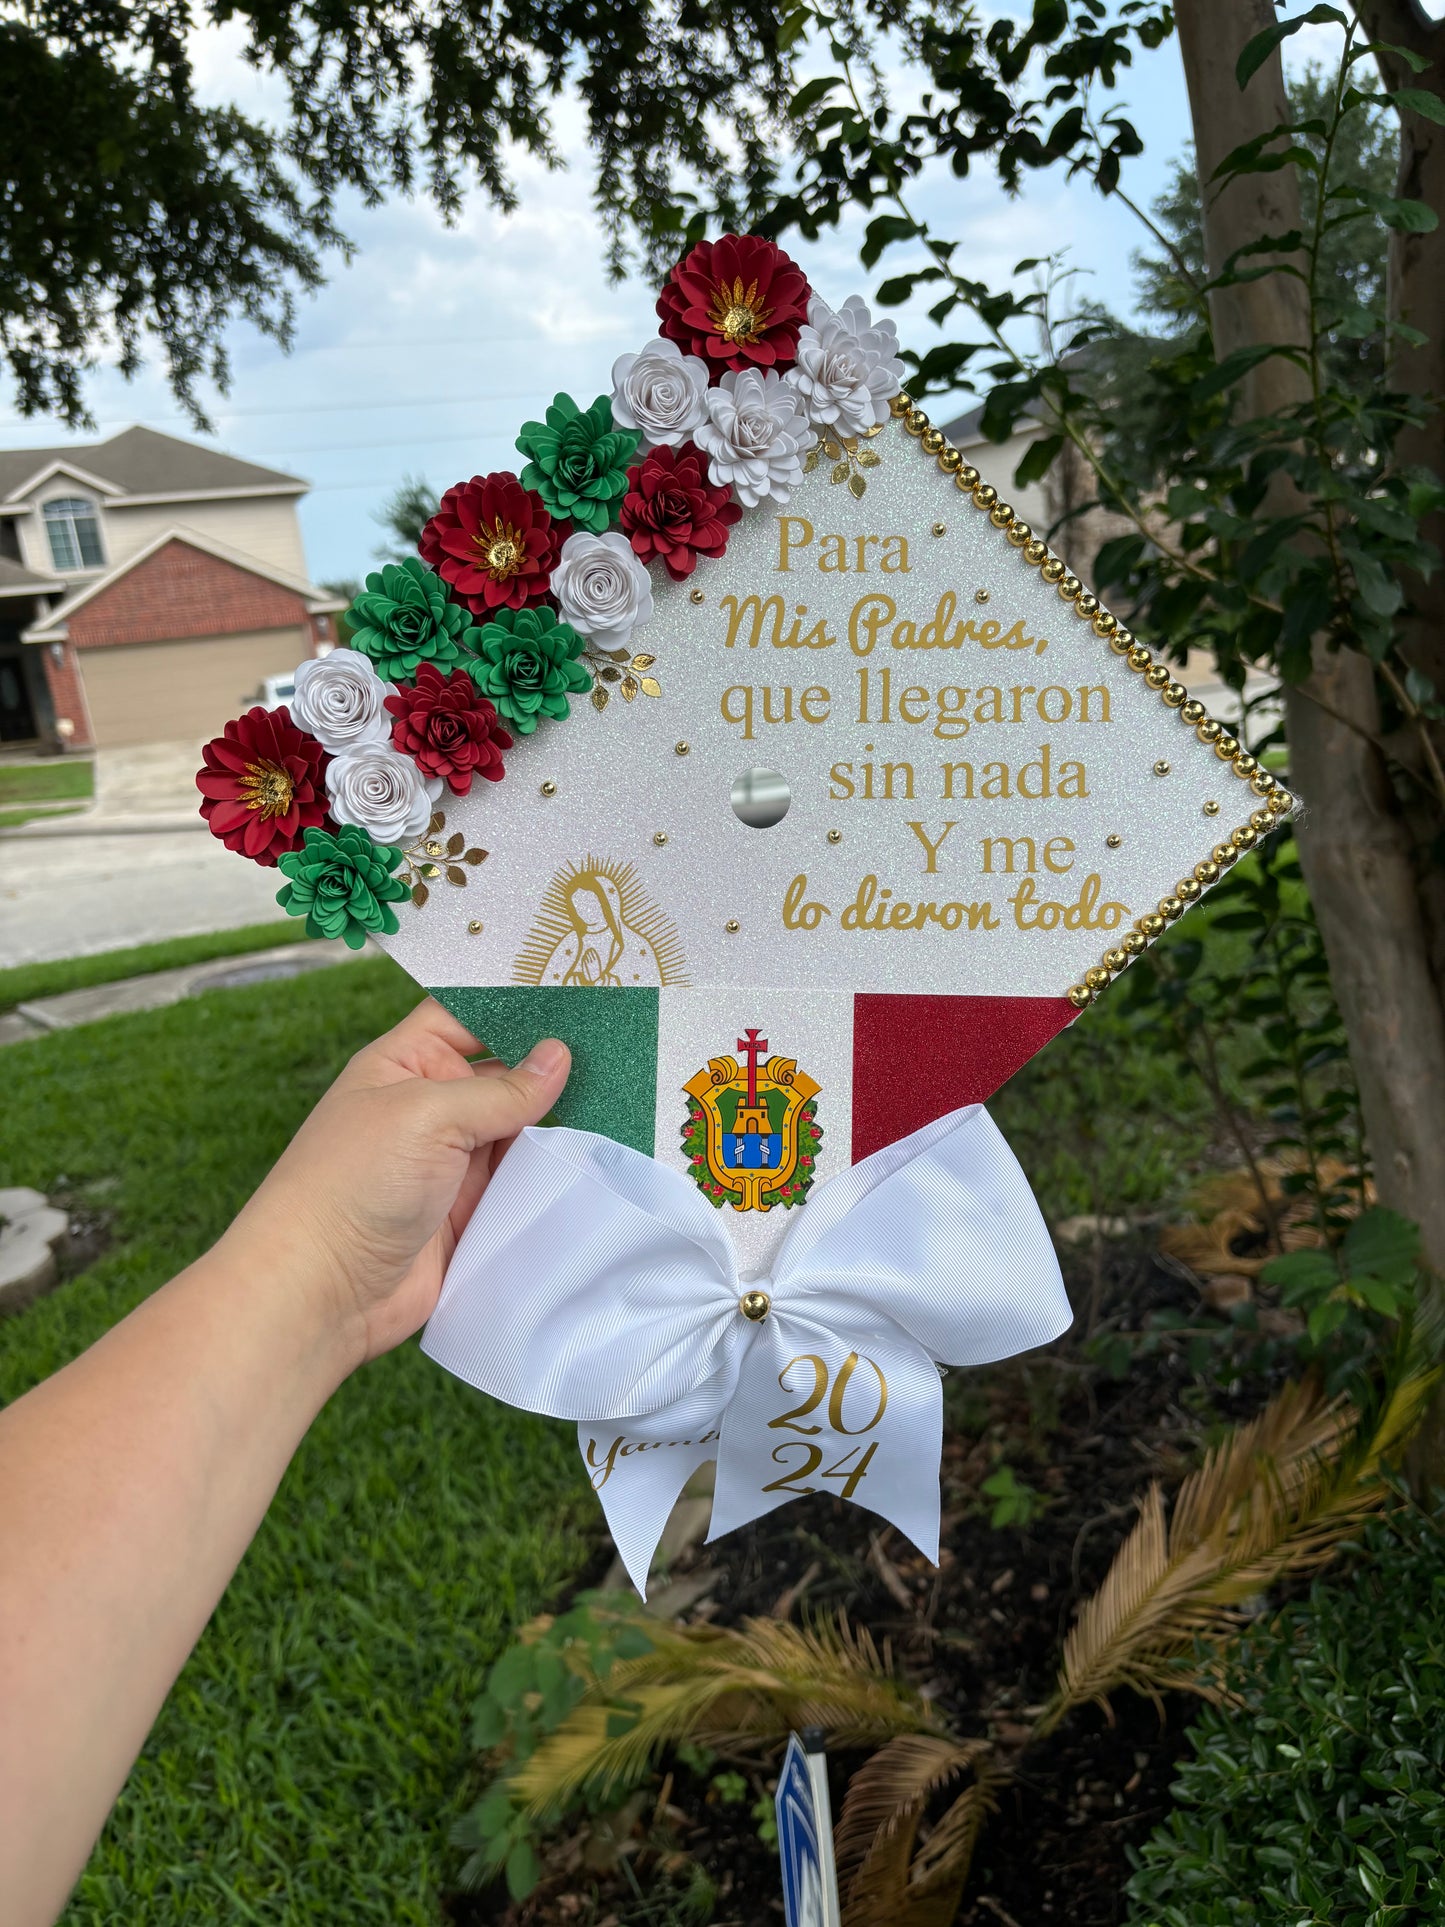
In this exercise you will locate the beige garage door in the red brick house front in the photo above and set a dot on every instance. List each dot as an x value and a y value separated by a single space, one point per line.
182 691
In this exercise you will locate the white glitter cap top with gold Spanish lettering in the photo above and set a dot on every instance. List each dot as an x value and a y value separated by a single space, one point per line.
619 779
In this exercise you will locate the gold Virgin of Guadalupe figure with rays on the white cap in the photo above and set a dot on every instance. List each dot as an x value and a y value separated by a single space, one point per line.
625 912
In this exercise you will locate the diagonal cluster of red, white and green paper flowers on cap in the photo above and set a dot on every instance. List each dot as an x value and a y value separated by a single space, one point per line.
531 589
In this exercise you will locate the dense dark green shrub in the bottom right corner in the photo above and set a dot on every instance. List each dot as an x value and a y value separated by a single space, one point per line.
1321 1795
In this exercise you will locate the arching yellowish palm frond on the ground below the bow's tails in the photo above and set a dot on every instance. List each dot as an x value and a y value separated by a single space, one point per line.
716 1687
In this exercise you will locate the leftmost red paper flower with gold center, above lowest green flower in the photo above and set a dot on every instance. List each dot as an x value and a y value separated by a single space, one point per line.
263 785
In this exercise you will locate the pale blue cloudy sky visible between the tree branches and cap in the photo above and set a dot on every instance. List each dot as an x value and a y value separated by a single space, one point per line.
427 354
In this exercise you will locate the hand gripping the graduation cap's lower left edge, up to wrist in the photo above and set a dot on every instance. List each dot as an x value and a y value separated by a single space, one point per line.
373 1194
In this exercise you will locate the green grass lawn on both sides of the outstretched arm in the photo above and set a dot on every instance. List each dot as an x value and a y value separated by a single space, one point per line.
313 1755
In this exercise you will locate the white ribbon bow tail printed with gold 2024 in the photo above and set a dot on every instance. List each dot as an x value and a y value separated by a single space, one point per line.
853 1408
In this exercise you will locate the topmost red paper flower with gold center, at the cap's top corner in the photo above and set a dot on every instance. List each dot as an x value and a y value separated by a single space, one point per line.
737 302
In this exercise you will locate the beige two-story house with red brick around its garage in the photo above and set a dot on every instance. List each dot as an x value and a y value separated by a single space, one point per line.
147 589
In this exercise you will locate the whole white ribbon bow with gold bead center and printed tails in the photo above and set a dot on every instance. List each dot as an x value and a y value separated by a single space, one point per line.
596 1284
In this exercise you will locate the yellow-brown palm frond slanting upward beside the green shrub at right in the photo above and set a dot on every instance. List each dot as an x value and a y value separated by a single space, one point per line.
1278 1496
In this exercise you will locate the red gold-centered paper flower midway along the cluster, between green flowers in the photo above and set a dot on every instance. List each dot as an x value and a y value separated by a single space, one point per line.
494 542
